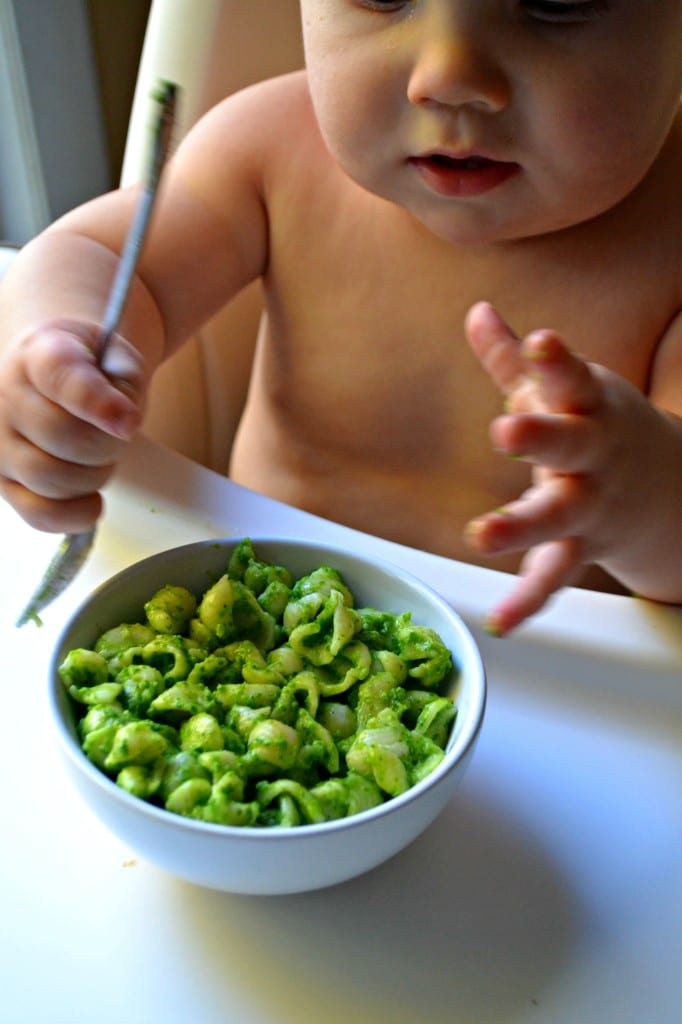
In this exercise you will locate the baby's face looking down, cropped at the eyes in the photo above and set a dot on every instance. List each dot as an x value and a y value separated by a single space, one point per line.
495 120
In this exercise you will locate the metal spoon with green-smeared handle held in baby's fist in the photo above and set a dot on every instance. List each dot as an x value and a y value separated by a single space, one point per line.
75 548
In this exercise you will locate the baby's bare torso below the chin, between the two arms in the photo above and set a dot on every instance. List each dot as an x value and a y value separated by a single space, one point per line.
367 406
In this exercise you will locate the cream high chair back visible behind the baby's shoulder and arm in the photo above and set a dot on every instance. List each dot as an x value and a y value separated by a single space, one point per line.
211 49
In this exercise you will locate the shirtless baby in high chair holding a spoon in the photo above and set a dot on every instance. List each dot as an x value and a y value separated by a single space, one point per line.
437 162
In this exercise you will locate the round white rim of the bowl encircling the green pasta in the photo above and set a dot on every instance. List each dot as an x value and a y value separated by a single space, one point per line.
459 752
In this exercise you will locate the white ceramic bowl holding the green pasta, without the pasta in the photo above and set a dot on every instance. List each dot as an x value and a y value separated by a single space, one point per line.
271 861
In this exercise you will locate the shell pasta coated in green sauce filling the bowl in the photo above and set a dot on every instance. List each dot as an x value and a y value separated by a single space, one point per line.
266 701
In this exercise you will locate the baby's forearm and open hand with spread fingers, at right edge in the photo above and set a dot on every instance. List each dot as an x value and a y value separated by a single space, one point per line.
607 471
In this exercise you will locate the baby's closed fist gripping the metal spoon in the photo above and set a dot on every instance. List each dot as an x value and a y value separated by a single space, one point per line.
64 422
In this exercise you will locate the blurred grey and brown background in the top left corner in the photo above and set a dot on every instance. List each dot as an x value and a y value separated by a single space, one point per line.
68 71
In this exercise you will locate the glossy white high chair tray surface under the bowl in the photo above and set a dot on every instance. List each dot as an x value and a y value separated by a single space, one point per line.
549 891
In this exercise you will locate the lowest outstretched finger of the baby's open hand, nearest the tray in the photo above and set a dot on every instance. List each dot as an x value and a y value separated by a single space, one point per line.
545 570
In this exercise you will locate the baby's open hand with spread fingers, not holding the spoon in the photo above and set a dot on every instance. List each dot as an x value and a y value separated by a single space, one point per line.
586 432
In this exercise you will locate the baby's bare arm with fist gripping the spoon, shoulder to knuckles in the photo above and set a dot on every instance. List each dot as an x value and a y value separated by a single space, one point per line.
63 420
